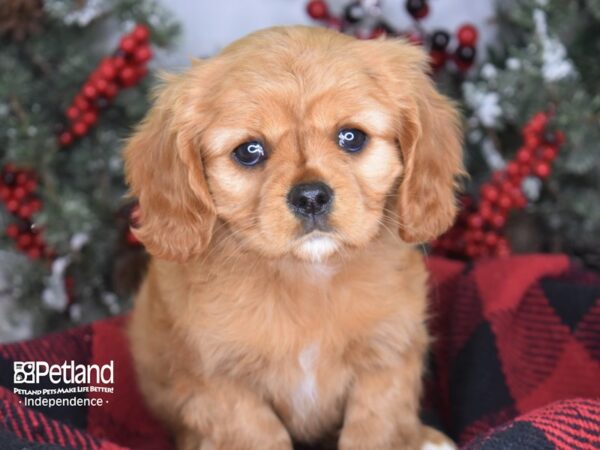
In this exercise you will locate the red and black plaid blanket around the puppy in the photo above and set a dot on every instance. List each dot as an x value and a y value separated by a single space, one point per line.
515 365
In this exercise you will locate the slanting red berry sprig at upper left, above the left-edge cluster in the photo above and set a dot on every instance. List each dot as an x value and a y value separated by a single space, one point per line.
122 70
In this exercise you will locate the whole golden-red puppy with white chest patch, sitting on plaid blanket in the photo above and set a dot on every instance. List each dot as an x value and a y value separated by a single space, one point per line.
281 185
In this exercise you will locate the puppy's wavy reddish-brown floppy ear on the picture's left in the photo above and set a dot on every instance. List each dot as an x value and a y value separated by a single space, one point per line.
164 170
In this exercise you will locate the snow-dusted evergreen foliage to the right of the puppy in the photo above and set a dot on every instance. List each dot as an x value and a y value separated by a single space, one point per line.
545 59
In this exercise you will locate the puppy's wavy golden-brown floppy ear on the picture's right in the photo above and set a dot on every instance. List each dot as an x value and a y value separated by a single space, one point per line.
430 140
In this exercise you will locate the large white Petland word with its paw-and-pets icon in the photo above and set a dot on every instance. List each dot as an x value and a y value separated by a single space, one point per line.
32 372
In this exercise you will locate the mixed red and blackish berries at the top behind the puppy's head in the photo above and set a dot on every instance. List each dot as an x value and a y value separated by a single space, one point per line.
438 42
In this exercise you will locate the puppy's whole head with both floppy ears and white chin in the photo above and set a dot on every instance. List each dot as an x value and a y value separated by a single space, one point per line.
299 141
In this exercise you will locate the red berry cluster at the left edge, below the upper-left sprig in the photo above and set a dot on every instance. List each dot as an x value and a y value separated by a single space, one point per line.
18 193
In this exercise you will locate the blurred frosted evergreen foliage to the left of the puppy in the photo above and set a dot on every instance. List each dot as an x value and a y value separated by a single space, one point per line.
82 185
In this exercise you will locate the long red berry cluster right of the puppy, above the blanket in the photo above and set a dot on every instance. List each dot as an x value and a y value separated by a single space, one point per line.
478 230
